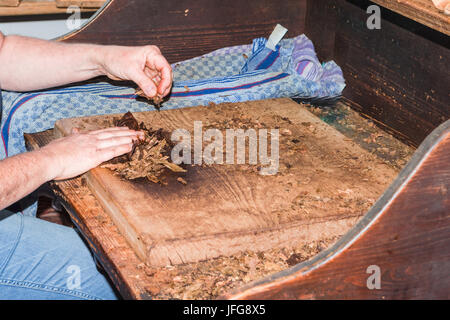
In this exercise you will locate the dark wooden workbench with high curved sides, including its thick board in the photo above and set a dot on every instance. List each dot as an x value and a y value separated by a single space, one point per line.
396 76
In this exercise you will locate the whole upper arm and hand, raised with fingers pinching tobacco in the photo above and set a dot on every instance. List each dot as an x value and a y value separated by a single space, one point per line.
32 64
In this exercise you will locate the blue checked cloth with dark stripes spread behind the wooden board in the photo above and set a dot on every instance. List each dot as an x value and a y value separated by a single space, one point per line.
232 74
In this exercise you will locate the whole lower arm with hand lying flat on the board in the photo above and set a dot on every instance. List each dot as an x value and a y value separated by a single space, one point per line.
61 159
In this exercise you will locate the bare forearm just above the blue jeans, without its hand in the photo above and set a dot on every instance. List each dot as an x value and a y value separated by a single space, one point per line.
22 174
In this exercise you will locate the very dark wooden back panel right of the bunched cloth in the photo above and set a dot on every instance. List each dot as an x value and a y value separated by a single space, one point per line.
396 76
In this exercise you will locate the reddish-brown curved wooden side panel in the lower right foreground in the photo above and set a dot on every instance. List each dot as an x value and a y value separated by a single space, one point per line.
406 236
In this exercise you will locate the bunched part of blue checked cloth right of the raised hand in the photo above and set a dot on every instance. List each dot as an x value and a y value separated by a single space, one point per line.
242 73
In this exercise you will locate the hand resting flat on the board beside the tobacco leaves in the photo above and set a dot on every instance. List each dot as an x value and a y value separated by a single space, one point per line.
75 154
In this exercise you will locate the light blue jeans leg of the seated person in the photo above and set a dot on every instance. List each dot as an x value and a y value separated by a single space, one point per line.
43 260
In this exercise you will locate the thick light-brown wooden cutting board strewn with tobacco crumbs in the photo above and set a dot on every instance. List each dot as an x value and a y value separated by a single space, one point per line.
324 184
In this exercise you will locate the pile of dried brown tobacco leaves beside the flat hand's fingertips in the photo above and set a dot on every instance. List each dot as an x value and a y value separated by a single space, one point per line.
149 157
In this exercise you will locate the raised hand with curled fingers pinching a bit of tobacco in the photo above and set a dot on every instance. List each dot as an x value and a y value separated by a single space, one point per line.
144 65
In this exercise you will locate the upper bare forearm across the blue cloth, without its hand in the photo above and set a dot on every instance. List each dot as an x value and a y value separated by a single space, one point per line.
28 64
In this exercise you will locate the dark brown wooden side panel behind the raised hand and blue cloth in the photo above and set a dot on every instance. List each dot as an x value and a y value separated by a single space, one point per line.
197 27
